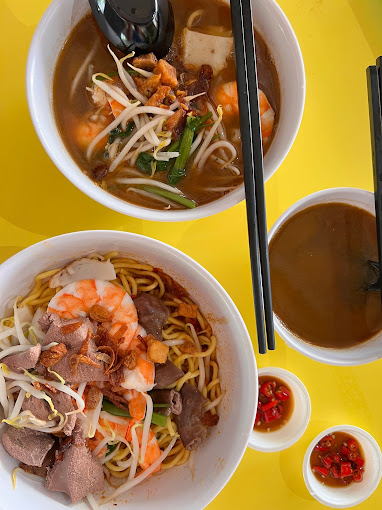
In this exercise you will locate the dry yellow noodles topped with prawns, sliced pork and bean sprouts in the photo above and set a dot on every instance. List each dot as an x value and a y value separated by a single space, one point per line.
99 358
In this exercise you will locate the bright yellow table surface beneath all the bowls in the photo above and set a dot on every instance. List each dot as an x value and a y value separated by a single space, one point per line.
339 39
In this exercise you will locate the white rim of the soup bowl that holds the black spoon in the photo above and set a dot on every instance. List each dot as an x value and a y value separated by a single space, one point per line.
75 175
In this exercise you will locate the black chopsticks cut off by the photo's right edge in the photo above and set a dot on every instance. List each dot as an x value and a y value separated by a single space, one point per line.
374 85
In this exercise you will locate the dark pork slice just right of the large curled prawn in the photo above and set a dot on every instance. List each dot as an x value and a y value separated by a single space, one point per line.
152 314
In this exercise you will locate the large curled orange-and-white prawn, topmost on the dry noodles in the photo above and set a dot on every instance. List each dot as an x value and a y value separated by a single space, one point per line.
76 299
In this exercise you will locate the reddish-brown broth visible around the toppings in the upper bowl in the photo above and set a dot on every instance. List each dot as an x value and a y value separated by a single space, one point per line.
197 186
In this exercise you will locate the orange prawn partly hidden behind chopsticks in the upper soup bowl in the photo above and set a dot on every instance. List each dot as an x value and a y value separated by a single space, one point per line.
226 95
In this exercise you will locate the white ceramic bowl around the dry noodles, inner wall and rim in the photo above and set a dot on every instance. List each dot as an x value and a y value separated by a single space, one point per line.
214 462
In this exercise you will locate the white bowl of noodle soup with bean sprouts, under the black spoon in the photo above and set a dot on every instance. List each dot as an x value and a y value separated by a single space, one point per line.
159 138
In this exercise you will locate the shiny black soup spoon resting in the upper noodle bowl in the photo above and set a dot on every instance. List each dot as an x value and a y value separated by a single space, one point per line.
143 26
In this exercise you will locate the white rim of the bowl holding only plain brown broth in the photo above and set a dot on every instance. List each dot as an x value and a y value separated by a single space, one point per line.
321 355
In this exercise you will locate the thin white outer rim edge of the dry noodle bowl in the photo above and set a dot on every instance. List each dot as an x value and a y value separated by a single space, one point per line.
245 337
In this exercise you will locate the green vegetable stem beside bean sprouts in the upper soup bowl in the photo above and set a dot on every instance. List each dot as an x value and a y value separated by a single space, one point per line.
179 169
